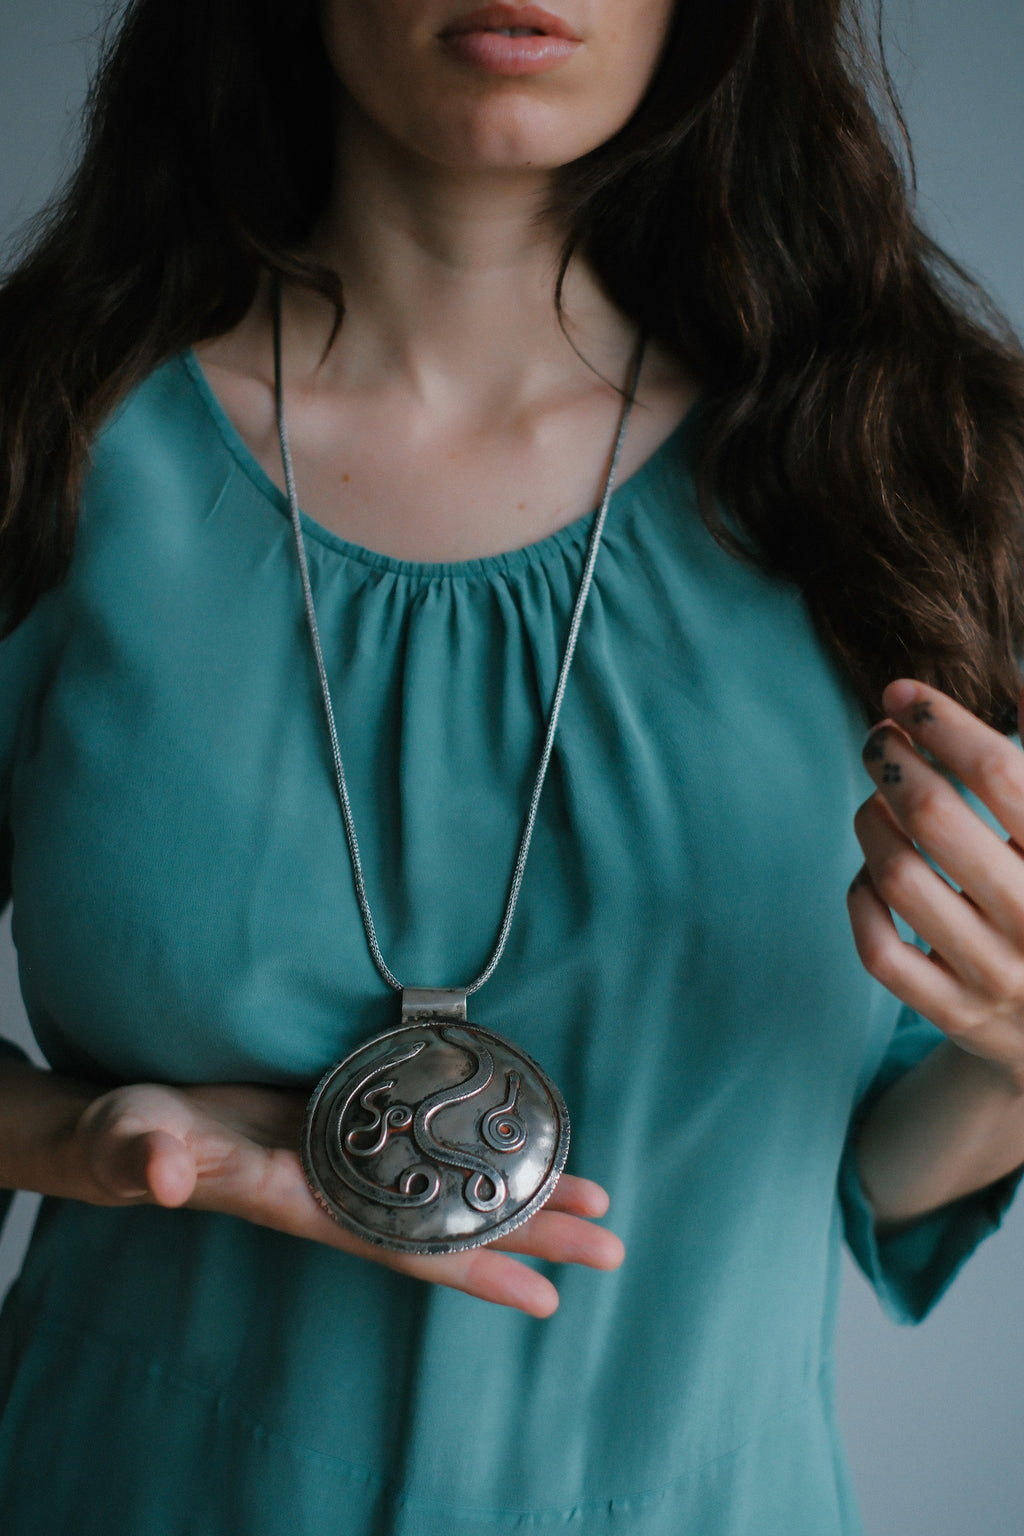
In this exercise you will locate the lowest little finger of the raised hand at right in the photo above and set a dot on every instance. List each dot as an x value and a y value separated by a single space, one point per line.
902 968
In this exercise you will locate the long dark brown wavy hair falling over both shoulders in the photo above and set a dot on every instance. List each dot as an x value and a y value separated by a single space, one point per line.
864 405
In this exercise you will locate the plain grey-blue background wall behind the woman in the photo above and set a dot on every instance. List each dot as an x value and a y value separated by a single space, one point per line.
933 1415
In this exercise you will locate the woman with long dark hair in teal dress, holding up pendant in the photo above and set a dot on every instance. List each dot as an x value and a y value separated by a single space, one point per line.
472 219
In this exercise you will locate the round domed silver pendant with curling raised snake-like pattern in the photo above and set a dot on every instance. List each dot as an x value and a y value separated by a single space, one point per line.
435 1137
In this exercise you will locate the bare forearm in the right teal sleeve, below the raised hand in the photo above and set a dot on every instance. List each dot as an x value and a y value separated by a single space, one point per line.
950 1127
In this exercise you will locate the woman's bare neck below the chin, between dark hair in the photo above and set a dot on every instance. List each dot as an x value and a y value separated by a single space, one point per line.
451 280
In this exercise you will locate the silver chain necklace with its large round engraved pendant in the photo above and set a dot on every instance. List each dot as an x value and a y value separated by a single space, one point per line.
437 1136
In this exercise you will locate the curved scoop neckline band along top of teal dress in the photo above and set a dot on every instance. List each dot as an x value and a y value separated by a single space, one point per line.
506 563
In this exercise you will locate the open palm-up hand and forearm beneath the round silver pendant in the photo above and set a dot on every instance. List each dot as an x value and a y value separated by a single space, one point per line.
233 1148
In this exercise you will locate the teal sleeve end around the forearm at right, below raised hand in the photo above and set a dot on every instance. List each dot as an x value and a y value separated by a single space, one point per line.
914 1266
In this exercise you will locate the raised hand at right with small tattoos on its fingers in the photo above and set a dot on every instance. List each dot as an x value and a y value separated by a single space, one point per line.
971 984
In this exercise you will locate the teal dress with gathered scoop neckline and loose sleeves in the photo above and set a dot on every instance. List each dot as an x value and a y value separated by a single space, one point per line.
681 962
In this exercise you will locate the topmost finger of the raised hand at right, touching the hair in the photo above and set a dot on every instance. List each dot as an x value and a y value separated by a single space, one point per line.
991 766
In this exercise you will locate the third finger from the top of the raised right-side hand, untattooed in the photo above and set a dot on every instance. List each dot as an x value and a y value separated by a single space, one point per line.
945 919
